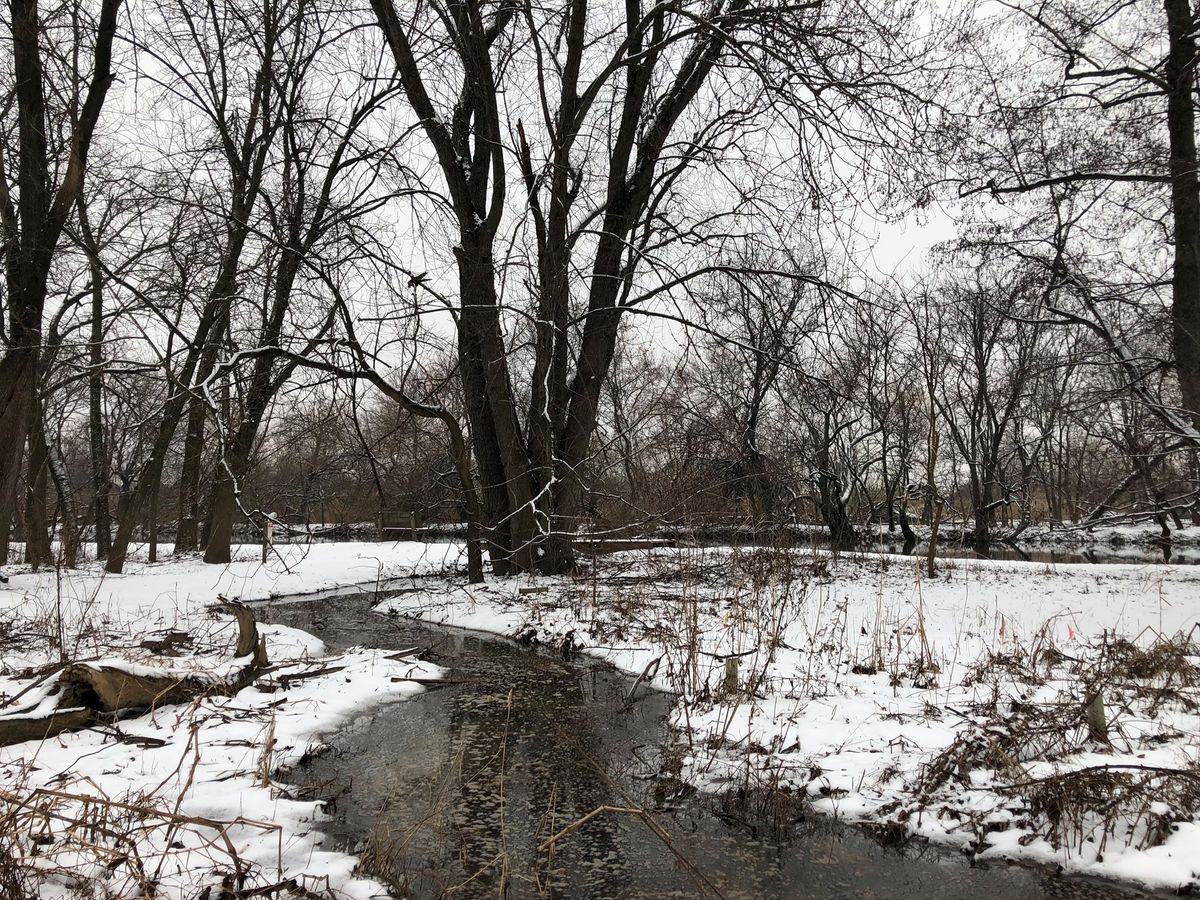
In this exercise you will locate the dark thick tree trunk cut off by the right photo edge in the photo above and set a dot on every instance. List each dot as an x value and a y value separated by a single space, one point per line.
1180 73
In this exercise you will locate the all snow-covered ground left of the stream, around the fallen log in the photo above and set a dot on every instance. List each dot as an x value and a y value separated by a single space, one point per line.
188 797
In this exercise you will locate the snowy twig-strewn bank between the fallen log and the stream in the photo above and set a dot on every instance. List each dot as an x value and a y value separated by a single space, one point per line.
194 797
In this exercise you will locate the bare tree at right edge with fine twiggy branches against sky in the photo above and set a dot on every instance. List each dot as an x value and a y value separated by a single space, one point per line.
1047 131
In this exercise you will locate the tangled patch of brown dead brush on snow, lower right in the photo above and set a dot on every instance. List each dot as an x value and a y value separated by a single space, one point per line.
1030 753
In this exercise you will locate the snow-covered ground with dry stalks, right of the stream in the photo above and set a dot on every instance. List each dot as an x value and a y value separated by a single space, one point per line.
953 709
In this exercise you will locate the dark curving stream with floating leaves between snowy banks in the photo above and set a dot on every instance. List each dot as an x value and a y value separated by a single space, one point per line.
452 794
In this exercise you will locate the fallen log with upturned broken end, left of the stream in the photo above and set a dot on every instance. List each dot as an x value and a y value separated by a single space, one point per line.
91 693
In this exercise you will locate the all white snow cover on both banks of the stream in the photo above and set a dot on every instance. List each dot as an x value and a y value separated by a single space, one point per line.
854 681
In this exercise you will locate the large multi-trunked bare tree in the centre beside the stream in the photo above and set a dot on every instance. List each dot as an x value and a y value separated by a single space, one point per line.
617 121
